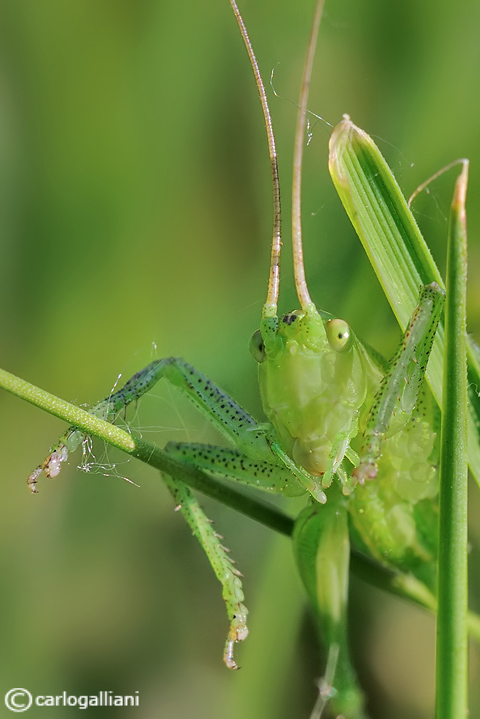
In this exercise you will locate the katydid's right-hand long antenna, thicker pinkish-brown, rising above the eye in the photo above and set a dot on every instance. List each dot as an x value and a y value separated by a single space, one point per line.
298 266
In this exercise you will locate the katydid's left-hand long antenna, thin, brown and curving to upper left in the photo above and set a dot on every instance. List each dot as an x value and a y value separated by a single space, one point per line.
270 306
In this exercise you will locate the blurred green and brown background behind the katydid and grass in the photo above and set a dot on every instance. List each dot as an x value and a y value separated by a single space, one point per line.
135 215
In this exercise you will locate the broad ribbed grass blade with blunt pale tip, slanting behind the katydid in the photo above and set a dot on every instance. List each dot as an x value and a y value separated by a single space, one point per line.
395 248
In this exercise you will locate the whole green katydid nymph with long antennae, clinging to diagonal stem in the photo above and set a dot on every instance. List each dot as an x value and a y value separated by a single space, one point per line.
356 435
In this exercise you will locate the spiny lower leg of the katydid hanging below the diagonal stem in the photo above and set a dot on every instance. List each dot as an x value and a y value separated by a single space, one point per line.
222 564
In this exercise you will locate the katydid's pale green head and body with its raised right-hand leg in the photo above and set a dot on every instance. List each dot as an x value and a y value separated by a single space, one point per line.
330 402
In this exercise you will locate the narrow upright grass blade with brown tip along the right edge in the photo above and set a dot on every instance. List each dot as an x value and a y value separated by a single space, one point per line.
452 670
